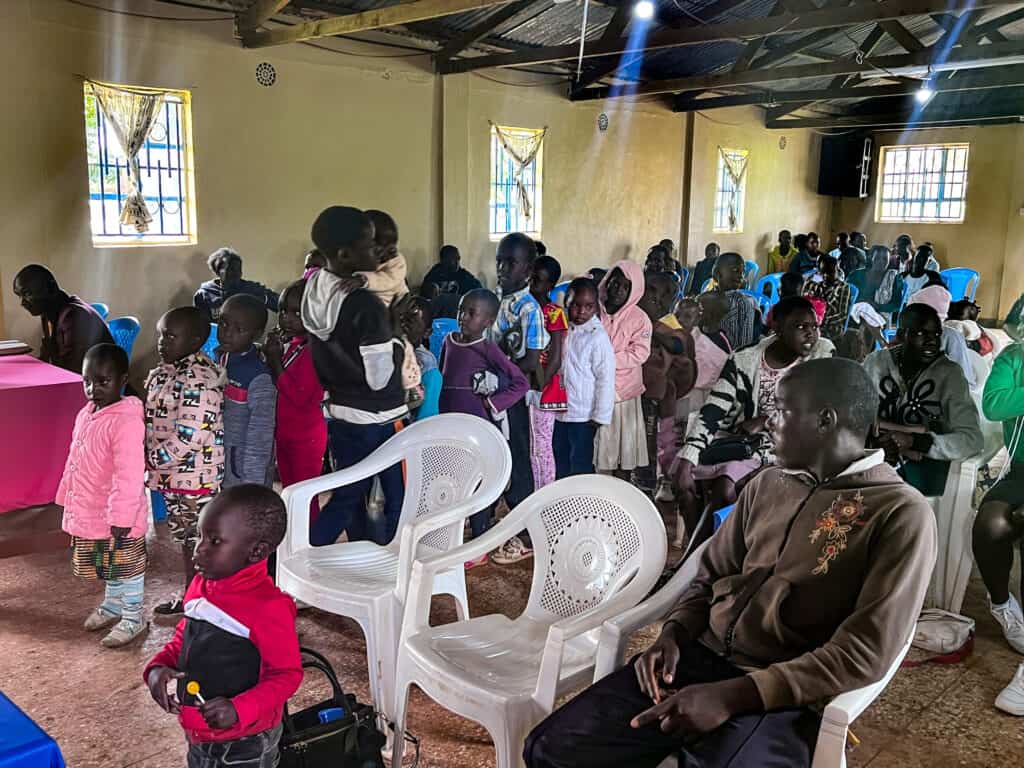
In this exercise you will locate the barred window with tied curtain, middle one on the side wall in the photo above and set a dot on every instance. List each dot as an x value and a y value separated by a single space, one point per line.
506 215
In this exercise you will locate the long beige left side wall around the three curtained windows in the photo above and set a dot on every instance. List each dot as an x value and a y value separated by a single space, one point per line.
377 133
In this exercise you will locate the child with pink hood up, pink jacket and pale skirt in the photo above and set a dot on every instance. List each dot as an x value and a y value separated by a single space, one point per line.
622 446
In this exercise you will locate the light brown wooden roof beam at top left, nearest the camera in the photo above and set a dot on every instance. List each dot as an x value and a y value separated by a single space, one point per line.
392 16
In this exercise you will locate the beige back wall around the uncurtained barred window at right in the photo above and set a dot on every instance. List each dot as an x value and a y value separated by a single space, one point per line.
990 238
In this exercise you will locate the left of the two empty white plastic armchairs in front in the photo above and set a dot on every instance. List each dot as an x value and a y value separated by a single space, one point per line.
455 465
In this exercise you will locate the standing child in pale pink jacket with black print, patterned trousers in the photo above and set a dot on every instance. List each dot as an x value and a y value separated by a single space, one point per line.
185 431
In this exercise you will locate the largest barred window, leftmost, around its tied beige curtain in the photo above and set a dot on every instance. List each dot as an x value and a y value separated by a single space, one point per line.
168 179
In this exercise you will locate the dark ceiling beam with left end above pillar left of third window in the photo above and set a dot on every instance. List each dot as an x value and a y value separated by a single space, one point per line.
1006 77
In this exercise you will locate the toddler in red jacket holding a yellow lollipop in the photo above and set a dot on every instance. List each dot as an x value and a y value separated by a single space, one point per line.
238 639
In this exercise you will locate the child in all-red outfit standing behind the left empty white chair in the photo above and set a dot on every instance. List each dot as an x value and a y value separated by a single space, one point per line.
301 438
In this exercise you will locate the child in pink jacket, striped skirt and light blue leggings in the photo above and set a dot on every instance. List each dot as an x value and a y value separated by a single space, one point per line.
103 492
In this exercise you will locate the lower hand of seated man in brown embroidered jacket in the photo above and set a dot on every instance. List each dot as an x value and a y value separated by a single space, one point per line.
700 709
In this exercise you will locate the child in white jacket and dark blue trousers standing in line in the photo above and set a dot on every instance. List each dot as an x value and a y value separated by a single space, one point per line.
589 378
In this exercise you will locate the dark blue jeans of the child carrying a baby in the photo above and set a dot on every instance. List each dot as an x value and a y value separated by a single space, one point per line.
351 444
